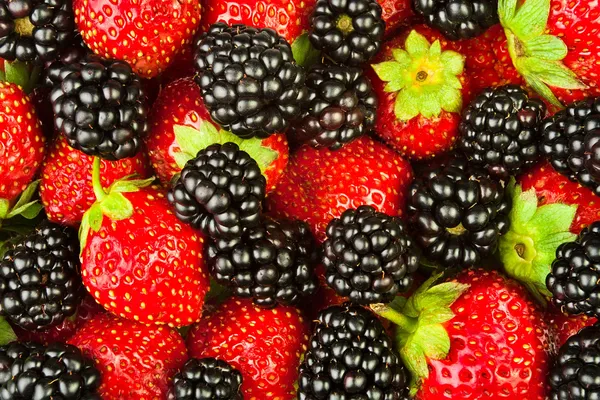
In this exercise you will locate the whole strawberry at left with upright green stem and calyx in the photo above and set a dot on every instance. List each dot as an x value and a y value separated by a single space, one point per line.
137 259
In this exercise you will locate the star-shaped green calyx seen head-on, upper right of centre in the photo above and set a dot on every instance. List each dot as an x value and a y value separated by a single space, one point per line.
424 77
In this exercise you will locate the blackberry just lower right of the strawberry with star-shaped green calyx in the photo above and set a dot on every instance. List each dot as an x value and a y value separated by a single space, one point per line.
500 130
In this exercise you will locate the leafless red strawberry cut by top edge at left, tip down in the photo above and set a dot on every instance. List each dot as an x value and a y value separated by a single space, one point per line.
147 34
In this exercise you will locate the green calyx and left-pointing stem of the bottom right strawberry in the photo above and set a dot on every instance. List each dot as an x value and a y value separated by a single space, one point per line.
421 334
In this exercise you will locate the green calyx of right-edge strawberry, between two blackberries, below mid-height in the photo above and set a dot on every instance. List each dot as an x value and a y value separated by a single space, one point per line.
529 248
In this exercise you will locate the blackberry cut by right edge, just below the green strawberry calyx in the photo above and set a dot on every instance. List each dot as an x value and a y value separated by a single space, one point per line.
574 277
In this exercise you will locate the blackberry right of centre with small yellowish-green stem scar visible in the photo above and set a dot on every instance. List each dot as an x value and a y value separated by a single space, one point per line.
457 213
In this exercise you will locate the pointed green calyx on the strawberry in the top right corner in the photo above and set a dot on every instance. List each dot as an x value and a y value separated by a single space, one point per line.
536 55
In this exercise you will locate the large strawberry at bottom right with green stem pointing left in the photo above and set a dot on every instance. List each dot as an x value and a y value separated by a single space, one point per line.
476 336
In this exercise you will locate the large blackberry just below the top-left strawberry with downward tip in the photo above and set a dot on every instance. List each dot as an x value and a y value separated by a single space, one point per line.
99 106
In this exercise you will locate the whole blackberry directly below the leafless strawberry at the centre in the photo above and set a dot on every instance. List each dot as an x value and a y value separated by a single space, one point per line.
368 256
